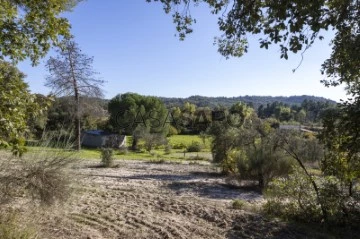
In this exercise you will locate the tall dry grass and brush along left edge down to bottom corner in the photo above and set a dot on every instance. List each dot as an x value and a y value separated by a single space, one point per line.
40 178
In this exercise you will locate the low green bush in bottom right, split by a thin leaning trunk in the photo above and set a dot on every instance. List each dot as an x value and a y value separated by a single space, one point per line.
294 198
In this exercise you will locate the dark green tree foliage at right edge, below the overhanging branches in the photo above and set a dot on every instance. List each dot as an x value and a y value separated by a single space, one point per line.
341 138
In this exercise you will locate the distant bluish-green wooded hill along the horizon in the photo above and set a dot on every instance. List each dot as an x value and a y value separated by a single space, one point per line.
256 101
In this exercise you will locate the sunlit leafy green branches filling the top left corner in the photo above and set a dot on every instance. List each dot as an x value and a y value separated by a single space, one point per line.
29 28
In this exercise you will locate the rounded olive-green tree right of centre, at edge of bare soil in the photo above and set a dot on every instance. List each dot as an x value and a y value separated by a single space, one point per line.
249 148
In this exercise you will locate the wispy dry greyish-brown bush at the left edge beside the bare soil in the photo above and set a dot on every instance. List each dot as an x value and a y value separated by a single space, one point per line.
42 176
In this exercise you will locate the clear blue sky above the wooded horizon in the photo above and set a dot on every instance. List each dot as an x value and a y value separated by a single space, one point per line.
135 50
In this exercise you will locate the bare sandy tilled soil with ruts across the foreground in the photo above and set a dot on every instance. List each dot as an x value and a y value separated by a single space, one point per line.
148 200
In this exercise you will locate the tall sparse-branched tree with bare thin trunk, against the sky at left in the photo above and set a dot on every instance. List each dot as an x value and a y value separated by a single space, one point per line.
71 74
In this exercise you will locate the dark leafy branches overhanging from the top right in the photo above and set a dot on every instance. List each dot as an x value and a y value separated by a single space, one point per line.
294 25
